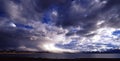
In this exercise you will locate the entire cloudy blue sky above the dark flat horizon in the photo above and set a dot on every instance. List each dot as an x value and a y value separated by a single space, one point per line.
59 25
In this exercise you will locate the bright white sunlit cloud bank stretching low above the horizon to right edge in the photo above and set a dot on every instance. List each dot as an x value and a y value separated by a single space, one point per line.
57 35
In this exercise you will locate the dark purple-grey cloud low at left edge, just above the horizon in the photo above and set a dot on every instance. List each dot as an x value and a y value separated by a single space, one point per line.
15 38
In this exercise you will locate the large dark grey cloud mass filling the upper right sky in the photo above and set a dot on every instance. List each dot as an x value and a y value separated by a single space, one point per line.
91 15
